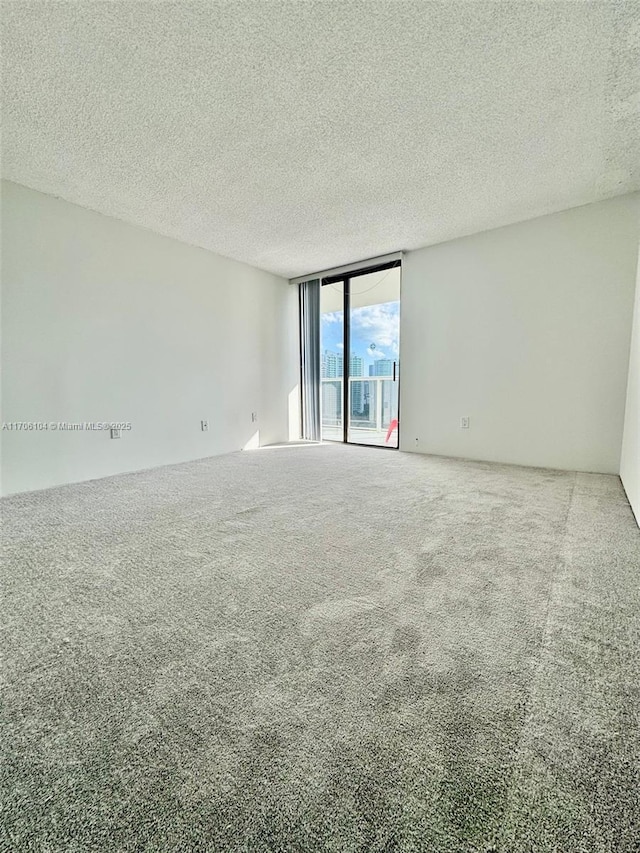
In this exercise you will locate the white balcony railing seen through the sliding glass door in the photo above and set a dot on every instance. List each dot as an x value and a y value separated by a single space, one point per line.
373 405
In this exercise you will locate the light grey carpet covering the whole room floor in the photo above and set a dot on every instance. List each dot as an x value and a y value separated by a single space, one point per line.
322 649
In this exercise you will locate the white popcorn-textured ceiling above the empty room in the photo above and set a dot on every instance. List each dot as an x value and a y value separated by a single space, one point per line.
297 136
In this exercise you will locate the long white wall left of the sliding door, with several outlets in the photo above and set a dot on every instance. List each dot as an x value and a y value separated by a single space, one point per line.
104 321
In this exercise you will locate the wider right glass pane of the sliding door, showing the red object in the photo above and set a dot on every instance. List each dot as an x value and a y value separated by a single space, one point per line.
374 360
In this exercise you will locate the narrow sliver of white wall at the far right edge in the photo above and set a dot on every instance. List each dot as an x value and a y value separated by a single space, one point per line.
630 457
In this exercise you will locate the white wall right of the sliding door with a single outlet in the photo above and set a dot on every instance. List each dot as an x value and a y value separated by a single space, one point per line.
526 331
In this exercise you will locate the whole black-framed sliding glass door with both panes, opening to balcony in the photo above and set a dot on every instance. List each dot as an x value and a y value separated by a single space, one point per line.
360 316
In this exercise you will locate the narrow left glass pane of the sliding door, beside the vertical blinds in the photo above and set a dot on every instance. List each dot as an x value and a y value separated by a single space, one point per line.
332 361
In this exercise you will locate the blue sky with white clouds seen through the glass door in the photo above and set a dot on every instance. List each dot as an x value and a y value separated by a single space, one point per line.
374 331
